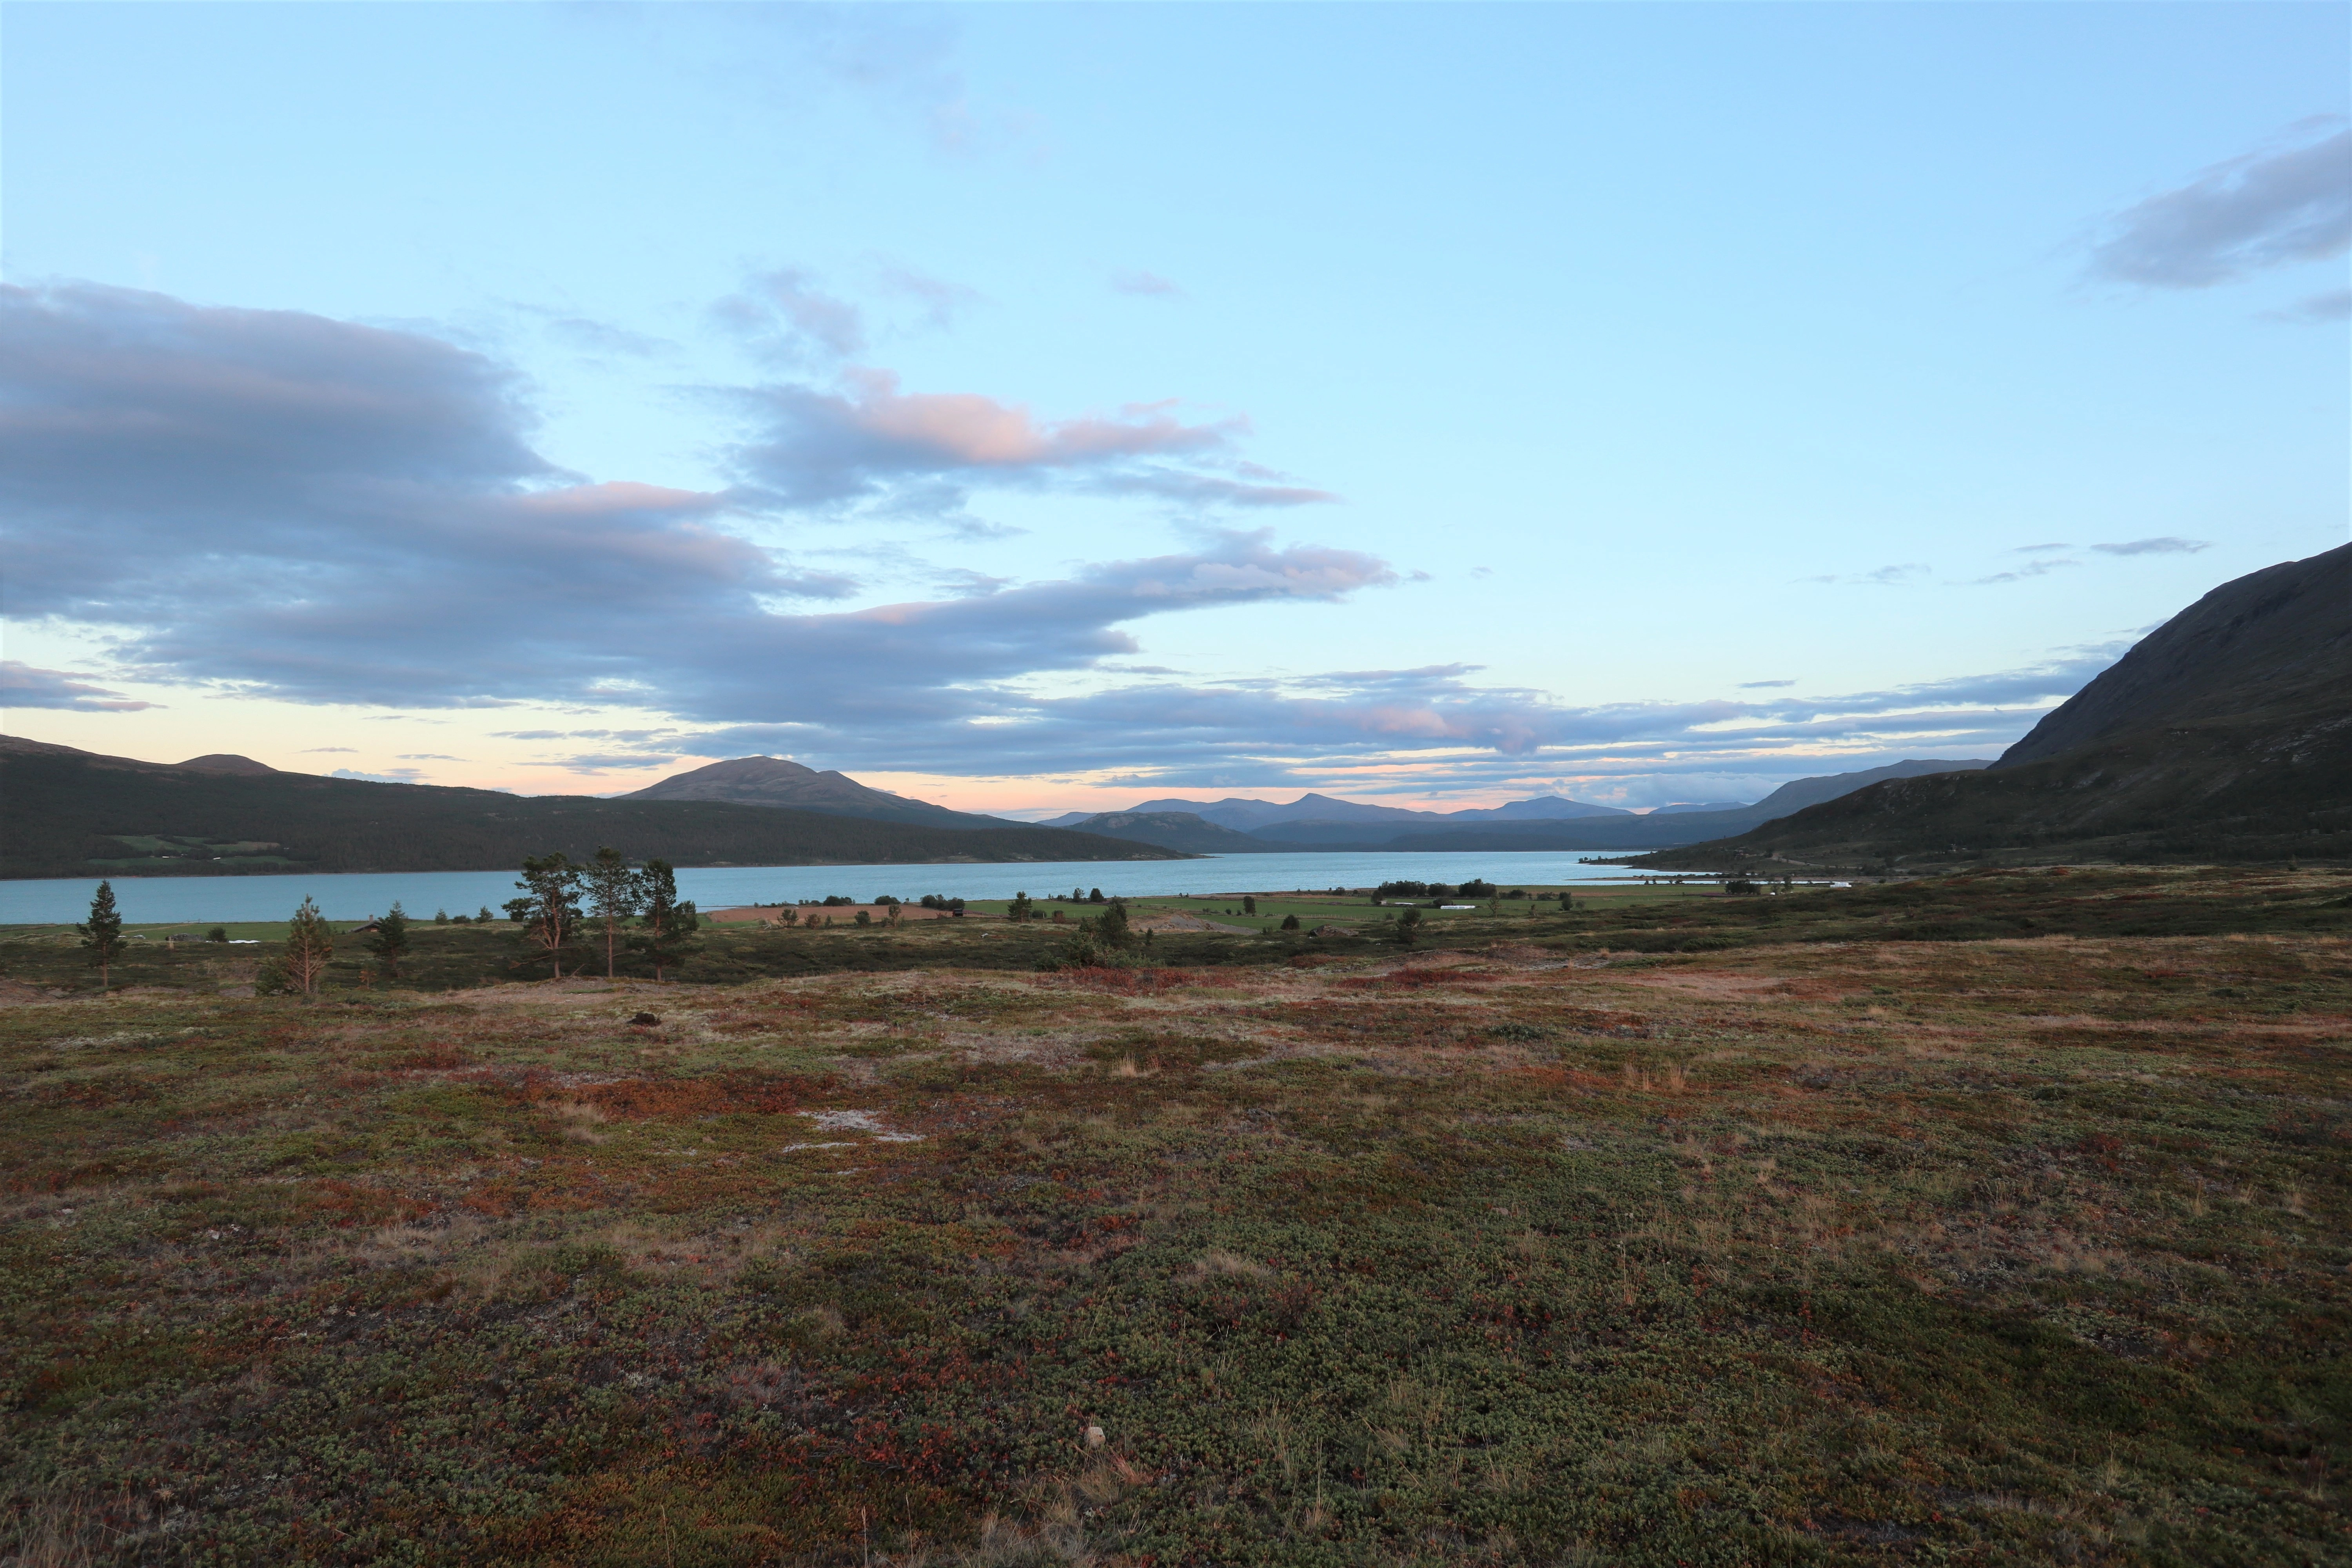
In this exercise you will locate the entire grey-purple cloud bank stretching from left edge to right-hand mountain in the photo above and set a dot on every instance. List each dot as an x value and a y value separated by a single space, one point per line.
300 509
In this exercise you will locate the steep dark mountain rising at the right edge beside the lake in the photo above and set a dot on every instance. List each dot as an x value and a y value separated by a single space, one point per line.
2226 735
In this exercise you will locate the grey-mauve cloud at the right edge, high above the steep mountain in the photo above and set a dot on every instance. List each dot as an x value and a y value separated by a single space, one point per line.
2238 217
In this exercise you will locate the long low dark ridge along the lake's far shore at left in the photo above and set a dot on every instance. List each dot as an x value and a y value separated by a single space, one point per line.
81 815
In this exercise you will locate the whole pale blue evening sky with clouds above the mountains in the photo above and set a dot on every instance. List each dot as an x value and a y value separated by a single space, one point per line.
1045 408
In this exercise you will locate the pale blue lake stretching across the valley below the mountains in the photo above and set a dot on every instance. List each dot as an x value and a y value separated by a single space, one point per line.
716 887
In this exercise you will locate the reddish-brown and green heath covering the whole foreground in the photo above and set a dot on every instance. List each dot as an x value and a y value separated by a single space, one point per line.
1826 1242
